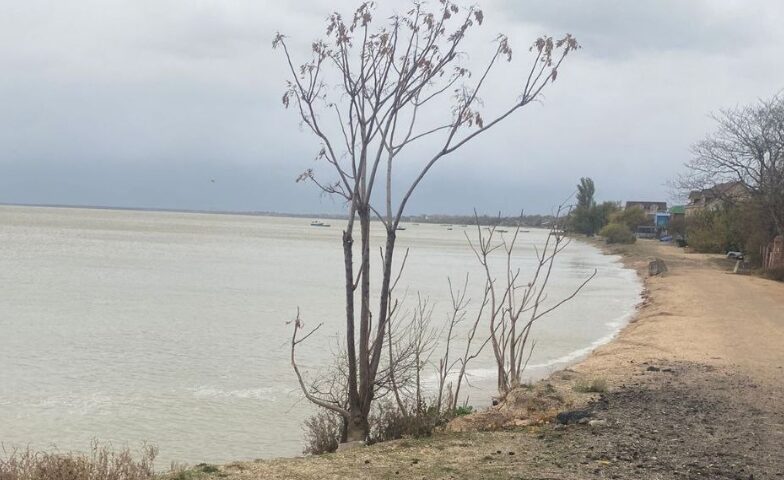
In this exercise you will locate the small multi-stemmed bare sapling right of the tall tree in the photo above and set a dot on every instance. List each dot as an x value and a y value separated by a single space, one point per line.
516 305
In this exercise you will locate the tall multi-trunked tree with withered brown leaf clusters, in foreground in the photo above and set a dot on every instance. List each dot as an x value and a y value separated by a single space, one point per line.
365 94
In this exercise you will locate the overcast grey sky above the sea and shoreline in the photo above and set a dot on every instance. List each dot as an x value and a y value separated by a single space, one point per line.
176 103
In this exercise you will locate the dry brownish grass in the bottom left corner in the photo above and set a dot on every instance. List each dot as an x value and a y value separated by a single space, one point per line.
101 463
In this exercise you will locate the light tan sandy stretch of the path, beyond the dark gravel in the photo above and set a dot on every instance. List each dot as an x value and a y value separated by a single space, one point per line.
698 312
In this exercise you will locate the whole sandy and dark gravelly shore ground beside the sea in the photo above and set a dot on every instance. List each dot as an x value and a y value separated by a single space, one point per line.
695 390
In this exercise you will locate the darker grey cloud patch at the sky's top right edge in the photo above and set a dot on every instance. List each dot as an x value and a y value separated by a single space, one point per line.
618 28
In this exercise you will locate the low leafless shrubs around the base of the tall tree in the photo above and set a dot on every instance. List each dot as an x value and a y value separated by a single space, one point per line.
407 408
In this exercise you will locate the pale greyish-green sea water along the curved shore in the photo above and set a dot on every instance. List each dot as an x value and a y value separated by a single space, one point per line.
171 328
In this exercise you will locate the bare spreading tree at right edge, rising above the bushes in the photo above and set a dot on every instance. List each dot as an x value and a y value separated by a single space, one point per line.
747 148
